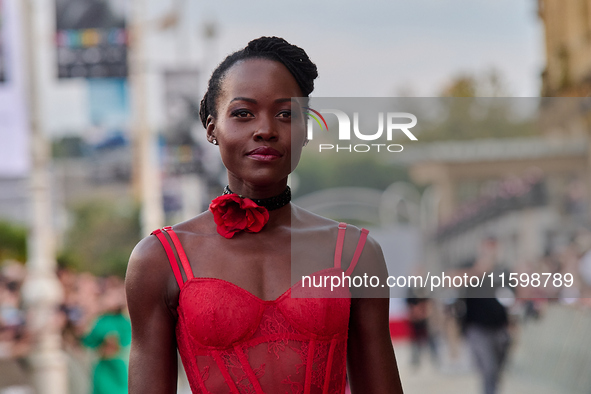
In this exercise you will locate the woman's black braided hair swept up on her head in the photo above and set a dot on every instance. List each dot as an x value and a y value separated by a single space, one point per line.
292 57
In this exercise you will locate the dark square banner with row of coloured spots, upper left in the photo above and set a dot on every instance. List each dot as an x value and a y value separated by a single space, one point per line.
91 38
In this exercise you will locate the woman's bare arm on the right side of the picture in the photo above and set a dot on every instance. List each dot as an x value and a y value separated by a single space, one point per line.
371 363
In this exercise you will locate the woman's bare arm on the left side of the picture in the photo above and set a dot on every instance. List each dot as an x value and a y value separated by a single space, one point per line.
153 356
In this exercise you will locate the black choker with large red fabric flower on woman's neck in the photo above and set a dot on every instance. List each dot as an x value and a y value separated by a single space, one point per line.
233 213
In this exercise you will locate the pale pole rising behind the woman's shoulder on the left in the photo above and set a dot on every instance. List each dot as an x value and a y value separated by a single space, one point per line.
146 172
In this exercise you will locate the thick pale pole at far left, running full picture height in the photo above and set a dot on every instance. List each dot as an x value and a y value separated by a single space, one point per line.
42 291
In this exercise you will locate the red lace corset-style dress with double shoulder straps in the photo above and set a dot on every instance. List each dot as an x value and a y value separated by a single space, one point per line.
231 341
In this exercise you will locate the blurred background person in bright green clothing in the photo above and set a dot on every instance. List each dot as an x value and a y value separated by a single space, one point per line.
110 337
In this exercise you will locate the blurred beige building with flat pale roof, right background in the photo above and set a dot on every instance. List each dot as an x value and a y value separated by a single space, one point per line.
517 192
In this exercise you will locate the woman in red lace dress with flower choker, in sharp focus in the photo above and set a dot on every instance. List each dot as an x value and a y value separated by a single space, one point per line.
219 286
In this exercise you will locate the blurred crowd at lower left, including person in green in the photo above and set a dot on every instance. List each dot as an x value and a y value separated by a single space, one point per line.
94 325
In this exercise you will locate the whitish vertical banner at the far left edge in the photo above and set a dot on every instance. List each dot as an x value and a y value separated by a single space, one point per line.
14 128
